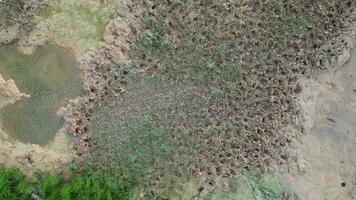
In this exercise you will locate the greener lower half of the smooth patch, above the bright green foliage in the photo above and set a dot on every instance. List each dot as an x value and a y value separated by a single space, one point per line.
137 145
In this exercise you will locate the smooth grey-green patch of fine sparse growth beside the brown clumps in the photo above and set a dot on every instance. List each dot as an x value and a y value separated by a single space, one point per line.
135 131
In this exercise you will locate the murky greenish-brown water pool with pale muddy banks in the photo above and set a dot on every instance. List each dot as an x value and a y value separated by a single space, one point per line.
51 78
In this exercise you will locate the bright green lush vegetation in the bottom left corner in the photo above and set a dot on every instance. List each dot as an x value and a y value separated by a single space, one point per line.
80 186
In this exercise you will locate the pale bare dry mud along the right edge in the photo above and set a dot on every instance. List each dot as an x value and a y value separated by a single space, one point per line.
326 153
